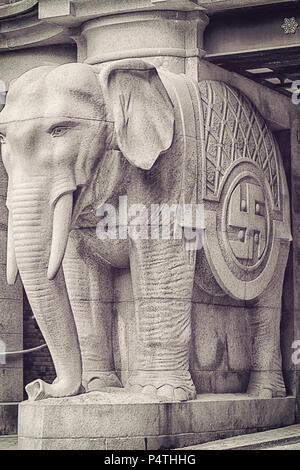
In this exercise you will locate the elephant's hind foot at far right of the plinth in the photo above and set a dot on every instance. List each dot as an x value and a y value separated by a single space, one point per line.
266 385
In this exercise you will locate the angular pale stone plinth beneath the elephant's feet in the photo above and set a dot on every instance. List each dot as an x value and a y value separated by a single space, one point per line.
120 420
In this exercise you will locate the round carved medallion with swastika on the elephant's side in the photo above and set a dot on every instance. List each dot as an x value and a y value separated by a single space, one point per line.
240 241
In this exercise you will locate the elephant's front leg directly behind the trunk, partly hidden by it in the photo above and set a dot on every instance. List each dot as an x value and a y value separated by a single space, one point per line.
89 287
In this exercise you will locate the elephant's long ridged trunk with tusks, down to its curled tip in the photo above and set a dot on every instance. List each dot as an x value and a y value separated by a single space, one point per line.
34 227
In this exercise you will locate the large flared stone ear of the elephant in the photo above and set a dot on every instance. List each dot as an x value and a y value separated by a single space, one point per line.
141 110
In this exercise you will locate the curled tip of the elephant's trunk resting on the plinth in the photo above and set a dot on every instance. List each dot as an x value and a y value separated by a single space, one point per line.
39 390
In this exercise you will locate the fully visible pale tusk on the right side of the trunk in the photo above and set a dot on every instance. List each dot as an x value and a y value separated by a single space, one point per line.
60 233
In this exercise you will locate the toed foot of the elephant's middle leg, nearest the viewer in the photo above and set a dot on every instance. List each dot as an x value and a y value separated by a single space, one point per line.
168 385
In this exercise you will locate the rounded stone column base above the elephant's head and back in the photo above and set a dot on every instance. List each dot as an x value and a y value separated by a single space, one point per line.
165 38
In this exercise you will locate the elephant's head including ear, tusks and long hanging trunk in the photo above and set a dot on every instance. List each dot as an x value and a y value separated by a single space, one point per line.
58 125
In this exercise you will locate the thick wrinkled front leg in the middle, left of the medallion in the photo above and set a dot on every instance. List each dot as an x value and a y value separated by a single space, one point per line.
162 276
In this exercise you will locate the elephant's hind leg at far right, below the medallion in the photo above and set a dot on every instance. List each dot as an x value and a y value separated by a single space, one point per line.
266 379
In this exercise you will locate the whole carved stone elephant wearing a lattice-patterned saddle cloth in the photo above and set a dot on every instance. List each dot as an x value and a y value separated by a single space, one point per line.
77 137
